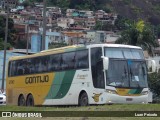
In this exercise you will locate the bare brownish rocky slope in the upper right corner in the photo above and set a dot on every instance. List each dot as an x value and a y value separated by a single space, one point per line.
148 10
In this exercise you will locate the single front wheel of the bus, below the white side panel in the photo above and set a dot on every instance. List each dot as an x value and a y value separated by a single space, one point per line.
83 99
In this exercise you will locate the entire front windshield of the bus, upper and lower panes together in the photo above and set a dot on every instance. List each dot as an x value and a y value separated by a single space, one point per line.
126 68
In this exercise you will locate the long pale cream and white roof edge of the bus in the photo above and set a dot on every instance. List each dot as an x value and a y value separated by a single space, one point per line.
72 48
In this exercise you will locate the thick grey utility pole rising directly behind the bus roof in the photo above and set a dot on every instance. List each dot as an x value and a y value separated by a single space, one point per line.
44 25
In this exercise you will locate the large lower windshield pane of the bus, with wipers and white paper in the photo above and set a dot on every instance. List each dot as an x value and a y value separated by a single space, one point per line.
127 73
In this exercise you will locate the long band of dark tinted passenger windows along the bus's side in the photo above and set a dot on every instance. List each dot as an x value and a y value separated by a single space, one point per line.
55 62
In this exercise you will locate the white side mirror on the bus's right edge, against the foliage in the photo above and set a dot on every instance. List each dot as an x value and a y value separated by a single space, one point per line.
151 64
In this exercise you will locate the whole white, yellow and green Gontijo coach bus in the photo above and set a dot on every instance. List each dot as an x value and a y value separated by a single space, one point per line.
79 75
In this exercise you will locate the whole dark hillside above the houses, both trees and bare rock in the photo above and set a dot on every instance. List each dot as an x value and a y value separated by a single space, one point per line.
148 10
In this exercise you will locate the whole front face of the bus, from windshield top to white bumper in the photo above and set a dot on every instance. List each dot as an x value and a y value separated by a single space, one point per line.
125 74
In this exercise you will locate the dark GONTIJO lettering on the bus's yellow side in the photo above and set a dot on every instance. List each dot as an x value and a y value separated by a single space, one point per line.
37 79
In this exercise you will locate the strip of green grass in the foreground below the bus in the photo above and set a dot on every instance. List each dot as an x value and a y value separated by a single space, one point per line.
126 108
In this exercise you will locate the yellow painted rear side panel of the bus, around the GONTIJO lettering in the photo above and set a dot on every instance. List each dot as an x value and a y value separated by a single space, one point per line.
38 90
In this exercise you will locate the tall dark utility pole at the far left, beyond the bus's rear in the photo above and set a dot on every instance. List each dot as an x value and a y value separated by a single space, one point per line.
5 43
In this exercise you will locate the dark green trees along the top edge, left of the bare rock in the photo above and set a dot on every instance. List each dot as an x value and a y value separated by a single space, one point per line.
80 4
